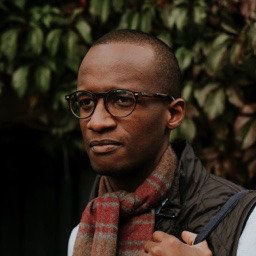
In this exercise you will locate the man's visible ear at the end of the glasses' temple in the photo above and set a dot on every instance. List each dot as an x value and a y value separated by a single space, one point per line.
176 113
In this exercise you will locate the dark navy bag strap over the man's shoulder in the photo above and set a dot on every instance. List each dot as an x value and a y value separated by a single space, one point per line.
221 214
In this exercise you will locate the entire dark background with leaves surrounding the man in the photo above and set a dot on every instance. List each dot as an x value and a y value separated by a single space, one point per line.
45 175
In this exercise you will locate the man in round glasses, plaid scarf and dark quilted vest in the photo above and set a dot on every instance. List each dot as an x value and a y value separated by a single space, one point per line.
147 192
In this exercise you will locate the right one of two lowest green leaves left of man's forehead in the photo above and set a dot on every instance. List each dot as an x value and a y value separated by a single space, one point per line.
42 78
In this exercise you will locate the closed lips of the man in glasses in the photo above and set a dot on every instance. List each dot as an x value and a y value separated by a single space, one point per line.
105 146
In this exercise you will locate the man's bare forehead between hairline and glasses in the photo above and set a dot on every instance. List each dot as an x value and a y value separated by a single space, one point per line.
117 63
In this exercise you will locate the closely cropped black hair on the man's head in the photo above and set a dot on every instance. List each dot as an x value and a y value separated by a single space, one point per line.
167 70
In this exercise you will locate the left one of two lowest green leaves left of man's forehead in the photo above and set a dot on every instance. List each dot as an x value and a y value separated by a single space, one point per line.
20 80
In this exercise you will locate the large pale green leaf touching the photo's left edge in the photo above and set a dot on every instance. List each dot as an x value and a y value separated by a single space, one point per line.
9 43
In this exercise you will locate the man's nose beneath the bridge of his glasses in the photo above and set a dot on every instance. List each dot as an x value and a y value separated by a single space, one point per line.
101 120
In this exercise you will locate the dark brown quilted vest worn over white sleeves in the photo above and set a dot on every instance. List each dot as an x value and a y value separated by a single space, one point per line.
195 197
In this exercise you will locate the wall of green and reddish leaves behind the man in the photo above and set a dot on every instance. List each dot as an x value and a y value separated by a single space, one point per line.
42 45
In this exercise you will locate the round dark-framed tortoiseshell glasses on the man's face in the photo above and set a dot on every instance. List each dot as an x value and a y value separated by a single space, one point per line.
118 103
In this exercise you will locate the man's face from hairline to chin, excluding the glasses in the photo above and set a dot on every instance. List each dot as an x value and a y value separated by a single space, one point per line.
118 146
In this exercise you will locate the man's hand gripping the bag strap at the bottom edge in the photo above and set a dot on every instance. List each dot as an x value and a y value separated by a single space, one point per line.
163 244
